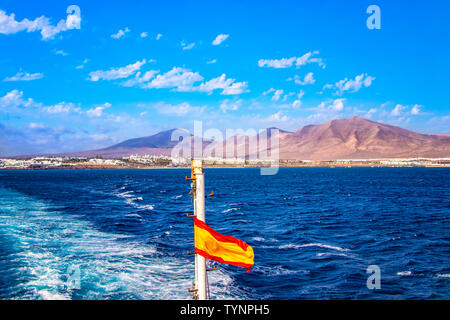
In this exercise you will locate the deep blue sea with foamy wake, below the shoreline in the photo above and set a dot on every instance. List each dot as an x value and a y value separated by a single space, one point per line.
314 232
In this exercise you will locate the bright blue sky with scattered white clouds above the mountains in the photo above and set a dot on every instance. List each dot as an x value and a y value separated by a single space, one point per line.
138 67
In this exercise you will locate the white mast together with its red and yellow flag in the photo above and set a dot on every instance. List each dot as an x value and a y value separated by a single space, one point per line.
209 244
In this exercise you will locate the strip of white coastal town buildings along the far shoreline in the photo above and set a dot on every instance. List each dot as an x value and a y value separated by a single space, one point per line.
148 162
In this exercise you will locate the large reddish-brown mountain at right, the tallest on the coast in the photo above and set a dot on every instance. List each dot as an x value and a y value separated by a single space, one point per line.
359 138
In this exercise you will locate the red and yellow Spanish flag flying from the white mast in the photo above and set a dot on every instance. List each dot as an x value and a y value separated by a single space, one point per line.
225 249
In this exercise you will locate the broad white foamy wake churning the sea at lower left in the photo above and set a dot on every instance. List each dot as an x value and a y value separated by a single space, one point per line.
111 266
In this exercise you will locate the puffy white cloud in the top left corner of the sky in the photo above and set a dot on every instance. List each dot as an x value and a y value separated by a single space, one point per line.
9 25
